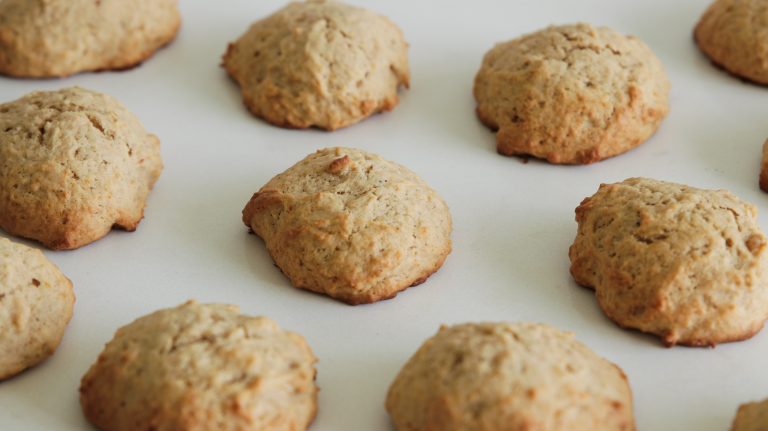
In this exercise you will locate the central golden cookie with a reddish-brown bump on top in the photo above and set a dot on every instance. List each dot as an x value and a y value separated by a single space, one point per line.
351 225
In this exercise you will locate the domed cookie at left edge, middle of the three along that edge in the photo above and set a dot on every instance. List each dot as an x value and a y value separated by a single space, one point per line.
73 164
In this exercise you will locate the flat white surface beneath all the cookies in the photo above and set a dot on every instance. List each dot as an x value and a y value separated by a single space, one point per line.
513 221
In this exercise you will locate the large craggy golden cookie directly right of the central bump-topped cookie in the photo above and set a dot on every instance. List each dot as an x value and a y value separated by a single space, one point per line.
686 264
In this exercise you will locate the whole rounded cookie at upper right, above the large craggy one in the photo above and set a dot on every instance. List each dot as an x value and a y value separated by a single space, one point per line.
571 94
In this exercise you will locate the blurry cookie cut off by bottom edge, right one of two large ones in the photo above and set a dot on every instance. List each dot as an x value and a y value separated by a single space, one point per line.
509 377
